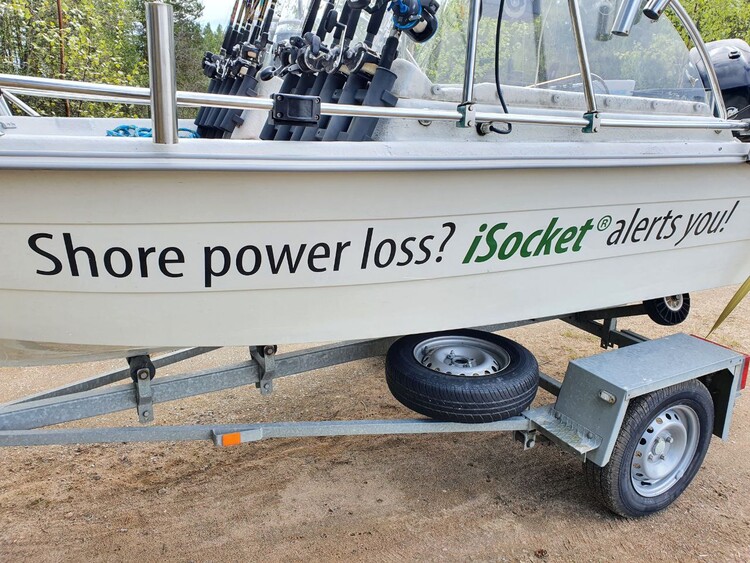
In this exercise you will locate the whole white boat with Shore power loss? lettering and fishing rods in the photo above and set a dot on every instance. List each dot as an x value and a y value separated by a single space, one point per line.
541 158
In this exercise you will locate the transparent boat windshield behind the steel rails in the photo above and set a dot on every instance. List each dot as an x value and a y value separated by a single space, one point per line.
537 49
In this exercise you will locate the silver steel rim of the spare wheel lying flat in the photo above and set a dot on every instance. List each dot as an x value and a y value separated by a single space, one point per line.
462 356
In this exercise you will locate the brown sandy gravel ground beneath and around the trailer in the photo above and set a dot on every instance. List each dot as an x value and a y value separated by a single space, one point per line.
462 497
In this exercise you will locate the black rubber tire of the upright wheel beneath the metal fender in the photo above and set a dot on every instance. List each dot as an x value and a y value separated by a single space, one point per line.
614 484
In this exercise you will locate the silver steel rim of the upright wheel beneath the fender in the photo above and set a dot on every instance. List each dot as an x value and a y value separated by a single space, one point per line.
665 450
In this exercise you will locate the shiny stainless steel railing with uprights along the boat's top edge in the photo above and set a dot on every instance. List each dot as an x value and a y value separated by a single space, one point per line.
164 100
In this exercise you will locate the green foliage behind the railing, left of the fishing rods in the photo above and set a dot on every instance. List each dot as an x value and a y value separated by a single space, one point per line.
103 40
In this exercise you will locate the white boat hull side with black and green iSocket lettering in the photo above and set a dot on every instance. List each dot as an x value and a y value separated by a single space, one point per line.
187 258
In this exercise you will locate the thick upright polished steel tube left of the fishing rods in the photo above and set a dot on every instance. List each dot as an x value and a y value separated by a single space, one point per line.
162 72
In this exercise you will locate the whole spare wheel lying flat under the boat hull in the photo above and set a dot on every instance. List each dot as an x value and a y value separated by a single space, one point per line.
462 376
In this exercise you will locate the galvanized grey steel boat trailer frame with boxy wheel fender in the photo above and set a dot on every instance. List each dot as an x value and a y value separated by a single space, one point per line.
587 419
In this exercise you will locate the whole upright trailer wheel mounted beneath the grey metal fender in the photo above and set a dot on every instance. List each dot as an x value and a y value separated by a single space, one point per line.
663 440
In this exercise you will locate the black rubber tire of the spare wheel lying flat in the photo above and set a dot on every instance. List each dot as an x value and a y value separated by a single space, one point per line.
486 397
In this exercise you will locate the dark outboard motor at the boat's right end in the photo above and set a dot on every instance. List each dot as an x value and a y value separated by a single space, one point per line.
731 60
